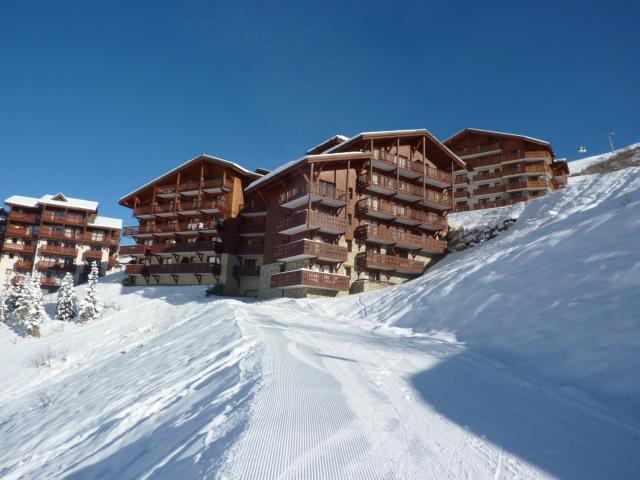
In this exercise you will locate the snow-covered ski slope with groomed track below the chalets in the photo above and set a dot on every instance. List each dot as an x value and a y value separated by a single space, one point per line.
514 359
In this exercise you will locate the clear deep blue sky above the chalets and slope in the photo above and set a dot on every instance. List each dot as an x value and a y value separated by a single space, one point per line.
97 98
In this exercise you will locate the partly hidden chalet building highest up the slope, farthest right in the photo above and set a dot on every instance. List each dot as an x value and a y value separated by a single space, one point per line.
503 168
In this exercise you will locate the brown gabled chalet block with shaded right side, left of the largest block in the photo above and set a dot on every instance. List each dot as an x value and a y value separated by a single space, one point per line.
196 226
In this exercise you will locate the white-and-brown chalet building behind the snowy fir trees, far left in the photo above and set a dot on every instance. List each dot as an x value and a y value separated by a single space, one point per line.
55 234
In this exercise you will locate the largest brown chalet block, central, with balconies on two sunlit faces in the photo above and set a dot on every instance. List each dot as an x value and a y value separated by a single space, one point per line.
353 214
